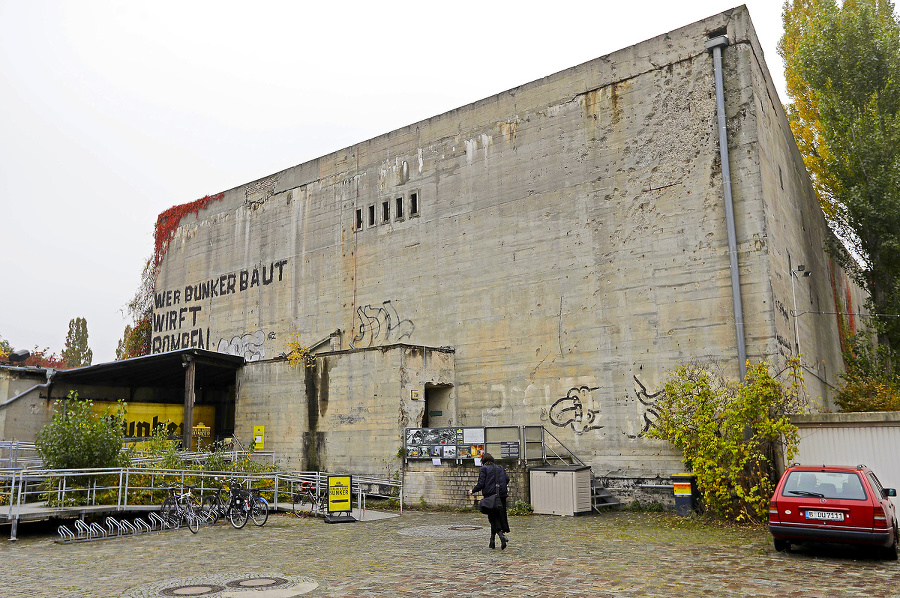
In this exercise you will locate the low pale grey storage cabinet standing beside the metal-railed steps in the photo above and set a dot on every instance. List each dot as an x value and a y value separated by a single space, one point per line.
561 489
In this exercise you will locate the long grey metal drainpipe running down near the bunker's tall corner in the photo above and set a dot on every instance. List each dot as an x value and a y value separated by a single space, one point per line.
715 45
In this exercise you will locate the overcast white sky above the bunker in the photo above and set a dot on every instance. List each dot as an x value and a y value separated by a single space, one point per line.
113 111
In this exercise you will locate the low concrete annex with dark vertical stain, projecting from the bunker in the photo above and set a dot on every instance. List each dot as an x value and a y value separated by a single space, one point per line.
345 415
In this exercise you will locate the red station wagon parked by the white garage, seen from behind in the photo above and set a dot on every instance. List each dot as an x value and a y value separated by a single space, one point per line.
833 504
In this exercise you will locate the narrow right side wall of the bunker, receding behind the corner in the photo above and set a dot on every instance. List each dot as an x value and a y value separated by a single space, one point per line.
795 232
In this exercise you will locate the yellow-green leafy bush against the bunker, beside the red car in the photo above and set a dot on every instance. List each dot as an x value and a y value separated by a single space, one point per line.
731 434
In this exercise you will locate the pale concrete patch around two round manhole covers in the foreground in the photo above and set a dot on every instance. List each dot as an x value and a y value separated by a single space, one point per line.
227 585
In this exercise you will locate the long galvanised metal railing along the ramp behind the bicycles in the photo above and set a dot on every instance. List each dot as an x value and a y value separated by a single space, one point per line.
40 492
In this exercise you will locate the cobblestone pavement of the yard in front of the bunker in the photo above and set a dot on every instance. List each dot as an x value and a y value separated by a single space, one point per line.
442 554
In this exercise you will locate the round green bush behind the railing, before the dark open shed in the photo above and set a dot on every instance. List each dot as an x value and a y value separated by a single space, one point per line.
78 438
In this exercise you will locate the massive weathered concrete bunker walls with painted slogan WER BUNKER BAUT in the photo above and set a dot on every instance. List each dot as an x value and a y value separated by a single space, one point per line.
566 238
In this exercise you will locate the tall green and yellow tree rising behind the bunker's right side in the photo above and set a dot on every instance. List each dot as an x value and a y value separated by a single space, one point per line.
842 64
